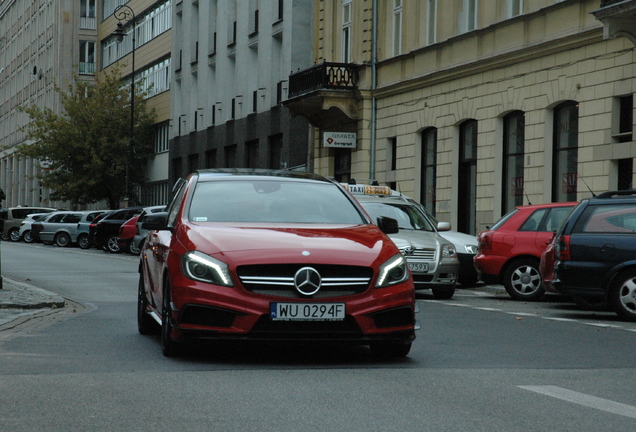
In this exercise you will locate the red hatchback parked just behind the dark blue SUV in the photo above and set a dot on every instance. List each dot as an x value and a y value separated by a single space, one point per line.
510 251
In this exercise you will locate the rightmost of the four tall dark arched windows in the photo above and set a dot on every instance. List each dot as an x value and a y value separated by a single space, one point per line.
565 157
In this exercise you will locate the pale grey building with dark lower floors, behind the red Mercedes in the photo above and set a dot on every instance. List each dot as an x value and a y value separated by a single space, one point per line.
232 61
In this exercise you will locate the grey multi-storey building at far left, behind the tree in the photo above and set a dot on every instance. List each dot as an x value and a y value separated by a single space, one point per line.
42 44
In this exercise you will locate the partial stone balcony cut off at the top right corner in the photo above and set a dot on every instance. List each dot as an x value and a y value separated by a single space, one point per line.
618 18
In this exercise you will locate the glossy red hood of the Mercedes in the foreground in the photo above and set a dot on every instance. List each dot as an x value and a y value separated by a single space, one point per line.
362 245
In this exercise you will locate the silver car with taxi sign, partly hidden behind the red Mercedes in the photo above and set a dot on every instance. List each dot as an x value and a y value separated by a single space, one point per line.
432 259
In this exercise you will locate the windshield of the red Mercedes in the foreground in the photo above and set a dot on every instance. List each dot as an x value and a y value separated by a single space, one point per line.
272 201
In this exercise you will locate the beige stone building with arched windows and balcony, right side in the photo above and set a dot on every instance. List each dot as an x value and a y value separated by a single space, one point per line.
473 107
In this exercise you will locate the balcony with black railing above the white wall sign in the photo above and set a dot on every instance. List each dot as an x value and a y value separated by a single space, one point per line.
326 94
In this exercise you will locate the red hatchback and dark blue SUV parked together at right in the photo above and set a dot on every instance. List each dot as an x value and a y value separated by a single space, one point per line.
585 250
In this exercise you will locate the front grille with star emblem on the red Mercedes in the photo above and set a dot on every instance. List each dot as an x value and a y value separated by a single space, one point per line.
278 280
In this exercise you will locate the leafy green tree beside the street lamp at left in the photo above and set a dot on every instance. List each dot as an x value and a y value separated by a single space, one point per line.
85 147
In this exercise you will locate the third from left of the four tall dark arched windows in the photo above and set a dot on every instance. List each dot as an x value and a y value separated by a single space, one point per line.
513 146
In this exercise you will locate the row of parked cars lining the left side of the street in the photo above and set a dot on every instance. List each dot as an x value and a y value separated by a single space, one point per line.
86 229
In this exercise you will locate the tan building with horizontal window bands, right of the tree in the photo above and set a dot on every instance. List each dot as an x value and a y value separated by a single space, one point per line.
148 25
